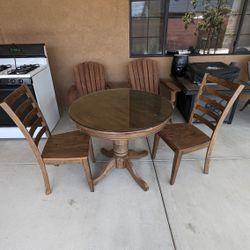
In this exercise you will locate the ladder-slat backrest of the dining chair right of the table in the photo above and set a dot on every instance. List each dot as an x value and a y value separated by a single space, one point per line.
212 106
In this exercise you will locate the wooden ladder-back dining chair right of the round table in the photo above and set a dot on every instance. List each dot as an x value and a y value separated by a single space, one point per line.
183 138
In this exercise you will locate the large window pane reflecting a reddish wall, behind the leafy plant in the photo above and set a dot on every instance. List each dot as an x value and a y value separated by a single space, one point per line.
198 41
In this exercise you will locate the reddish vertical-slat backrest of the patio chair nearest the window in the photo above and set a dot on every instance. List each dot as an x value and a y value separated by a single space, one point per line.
143 75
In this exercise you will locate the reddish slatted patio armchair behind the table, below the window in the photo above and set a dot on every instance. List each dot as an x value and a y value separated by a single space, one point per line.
143 75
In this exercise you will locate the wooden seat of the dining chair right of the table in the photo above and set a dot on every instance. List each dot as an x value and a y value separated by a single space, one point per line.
184 137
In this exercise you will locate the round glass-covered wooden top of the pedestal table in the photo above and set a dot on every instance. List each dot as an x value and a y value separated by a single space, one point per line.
120 113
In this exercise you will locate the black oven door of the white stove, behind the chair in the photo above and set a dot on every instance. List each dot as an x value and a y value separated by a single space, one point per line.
5 90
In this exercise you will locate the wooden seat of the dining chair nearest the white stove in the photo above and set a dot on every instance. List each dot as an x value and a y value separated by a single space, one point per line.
67 147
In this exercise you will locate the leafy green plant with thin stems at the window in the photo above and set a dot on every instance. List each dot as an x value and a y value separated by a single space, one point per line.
212 22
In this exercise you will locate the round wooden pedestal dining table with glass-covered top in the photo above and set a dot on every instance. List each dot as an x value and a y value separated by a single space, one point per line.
120 115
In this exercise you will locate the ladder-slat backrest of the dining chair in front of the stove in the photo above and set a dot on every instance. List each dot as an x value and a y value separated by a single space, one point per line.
23 109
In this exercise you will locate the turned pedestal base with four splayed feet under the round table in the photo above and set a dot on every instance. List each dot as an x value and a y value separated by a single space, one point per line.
121 158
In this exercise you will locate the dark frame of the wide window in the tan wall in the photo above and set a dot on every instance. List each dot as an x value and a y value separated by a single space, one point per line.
165 27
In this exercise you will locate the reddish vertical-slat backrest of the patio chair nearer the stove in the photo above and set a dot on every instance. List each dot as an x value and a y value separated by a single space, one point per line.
89 77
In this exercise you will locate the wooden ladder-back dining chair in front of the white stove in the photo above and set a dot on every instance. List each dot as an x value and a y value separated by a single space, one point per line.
70 147
